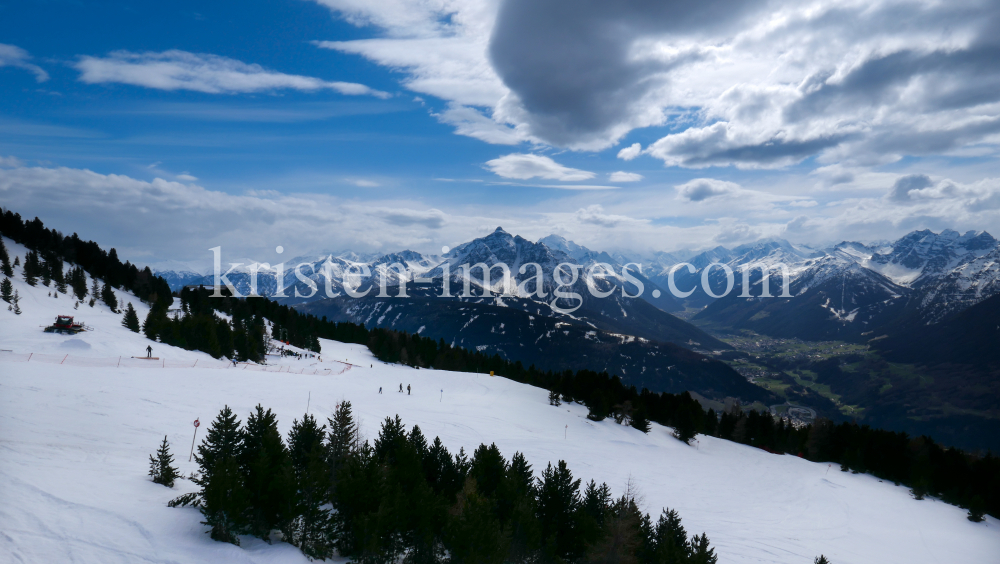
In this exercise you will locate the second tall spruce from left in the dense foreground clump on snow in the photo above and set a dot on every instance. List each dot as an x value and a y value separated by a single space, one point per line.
267 475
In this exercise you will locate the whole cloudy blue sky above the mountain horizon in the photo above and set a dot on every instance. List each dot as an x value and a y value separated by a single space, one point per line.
166 129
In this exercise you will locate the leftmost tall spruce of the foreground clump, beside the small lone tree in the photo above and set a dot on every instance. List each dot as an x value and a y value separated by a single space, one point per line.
222 498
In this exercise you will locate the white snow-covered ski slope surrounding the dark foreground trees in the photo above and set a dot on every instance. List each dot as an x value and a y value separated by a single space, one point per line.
74 446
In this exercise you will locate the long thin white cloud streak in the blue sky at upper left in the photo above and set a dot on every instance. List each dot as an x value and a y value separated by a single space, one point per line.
212 74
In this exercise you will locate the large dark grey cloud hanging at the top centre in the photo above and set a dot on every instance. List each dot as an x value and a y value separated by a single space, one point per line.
569 64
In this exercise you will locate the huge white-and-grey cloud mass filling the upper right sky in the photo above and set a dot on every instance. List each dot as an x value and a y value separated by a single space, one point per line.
751 85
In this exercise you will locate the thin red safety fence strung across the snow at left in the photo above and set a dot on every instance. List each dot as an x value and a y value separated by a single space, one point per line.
132 362
